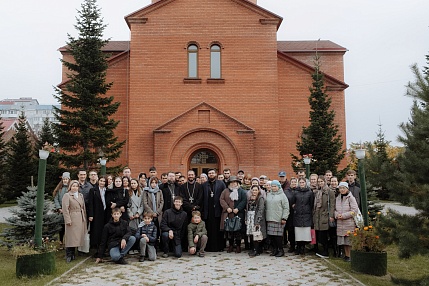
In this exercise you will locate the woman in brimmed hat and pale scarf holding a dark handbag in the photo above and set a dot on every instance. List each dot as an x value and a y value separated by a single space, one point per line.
233 202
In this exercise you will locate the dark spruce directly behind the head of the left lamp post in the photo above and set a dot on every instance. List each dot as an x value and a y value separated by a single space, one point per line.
53 169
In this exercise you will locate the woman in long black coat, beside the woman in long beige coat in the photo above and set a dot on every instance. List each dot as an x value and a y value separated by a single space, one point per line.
96 209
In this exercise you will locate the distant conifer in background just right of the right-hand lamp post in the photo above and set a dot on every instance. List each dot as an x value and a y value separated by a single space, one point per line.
379 168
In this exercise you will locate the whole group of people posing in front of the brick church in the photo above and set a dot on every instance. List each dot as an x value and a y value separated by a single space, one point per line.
212 212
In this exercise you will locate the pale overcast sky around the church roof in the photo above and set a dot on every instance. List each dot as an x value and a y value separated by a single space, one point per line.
383 38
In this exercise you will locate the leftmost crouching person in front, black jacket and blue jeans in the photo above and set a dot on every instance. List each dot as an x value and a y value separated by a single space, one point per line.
117 237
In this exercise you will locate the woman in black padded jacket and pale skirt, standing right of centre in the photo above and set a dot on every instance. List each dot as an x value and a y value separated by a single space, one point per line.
303 202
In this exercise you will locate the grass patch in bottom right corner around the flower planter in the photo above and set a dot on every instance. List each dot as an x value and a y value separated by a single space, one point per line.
400 271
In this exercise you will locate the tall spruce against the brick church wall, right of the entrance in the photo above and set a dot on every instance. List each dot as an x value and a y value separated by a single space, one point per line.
320 138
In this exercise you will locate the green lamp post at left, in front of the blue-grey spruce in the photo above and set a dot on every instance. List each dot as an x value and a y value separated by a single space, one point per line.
43 156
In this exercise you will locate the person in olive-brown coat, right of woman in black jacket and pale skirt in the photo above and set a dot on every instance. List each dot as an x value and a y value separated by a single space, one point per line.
323 214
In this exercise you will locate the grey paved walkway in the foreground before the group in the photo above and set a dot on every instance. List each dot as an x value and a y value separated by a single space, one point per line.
214 269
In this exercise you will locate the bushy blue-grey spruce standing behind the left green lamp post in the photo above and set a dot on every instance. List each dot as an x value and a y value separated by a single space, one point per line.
23 219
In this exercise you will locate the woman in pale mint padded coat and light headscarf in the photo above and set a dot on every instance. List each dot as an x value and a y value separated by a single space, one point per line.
277 212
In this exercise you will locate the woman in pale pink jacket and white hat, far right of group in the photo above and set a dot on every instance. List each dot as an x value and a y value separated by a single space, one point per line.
345 207
